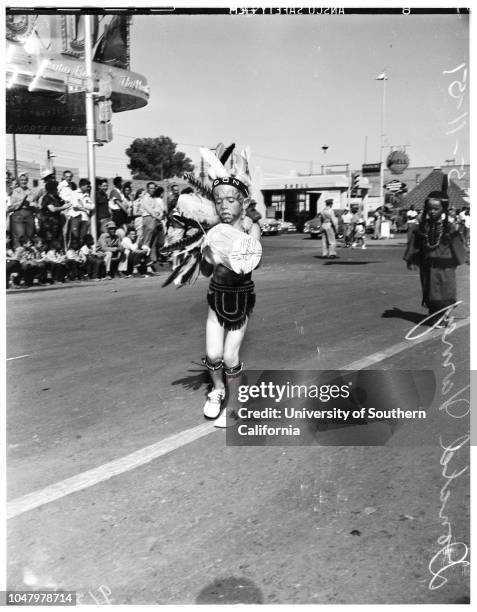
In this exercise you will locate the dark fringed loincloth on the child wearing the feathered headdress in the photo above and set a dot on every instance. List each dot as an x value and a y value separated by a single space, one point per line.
232 305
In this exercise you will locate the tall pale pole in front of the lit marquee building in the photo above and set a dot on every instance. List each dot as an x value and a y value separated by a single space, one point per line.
90 140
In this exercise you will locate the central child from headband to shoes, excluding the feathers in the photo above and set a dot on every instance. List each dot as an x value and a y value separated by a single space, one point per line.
231 295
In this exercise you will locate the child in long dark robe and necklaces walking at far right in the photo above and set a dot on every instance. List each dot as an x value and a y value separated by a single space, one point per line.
436 247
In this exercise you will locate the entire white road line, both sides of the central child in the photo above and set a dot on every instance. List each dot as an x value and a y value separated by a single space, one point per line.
149 453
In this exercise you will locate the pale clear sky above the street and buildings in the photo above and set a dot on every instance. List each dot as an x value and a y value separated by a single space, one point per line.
286 85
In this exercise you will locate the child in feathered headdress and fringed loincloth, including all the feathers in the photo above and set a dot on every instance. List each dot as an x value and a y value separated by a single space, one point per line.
227 253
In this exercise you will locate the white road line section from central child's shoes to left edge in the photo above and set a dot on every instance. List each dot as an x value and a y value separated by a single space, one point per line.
106 471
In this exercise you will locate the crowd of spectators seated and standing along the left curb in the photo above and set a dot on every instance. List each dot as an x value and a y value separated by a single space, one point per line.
49 231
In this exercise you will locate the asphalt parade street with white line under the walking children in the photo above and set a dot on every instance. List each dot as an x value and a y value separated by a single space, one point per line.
100 373
